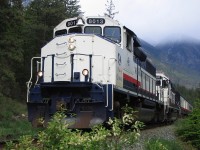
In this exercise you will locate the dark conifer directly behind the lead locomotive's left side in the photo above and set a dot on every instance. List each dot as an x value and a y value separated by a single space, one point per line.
41 16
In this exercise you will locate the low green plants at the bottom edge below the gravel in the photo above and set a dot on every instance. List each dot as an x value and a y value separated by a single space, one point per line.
162 144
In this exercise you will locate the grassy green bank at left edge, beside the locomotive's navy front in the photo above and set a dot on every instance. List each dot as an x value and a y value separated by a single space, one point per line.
13 120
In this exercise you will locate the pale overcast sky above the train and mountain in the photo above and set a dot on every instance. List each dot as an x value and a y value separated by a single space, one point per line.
153 20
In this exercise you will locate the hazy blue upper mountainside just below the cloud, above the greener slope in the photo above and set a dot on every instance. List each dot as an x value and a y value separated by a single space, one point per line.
183 53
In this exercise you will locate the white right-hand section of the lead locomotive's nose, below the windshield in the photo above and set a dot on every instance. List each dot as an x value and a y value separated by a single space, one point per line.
104 62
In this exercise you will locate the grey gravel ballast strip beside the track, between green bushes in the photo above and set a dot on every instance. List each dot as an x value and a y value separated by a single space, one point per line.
164 132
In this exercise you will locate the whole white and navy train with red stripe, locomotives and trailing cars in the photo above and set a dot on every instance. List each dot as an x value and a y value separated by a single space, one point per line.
93 67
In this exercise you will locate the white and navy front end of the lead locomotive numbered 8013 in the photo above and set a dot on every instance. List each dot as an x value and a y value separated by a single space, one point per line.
77 72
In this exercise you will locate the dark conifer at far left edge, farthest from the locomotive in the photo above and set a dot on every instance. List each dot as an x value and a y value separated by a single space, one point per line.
11 52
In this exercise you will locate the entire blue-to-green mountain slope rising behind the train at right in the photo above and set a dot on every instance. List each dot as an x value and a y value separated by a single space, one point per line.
180 60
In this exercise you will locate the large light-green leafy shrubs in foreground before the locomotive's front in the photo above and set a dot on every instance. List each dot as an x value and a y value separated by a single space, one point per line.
57 135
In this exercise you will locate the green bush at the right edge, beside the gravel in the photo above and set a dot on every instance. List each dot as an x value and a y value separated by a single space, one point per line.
188 129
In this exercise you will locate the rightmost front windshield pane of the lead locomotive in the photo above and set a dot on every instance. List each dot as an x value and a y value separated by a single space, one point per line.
113 33
